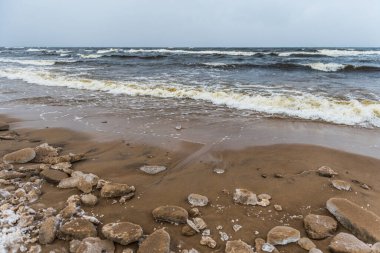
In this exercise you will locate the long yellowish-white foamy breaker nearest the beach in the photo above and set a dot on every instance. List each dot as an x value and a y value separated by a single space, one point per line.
303 105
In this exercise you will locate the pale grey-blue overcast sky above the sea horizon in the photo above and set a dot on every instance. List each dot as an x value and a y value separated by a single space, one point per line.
193 23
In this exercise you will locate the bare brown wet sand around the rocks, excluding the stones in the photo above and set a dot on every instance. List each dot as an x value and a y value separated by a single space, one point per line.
297 187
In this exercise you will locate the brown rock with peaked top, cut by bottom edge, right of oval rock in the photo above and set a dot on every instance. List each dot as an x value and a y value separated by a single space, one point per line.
157 242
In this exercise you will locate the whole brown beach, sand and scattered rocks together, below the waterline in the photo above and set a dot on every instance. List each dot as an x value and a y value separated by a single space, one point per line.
53 198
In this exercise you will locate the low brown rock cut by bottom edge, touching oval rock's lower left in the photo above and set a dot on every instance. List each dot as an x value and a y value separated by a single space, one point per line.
95 245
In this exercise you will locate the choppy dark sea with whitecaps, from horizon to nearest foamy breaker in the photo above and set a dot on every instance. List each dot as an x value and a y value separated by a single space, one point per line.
336 85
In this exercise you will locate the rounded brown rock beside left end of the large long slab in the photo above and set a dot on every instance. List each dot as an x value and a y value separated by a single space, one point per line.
319 226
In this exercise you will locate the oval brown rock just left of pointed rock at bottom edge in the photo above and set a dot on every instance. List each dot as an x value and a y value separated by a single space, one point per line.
122 232
